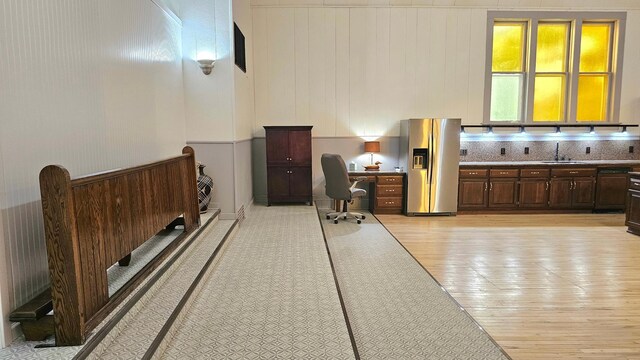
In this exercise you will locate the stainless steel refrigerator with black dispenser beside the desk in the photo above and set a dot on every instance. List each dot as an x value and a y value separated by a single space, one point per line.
430 151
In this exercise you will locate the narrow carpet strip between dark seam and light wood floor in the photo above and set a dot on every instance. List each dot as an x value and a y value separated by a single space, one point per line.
395 308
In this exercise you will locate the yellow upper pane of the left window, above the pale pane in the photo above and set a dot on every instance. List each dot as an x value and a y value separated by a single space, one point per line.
508 46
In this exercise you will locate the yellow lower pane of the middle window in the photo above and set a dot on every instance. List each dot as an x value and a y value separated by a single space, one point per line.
548 98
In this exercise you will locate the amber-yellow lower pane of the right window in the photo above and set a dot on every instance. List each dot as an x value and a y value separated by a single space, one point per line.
592 97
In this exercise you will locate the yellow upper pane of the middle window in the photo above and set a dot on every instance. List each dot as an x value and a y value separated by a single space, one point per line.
551 55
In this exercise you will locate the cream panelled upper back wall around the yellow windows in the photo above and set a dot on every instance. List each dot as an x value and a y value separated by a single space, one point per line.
356 70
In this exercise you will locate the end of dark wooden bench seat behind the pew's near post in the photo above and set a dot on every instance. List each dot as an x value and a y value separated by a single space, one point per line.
34 318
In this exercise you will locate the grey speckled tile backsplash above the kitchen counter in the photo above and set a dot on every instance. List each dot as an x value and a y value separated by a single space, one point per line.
545 150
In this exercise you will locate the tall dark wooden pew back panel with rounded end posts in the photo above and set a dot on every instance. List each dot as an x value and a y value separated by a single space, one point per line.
92 222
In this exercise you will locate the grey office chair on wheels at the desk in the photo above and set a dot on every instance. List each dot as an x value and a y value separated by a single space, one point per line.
338 186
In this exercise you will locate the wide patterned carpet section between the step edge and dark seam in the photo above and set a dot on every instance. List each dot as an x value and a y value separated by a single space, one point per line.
272 295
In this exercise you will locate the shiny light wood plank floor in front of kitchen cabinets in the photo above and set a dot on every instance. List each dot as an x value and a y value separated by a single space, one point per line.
543 286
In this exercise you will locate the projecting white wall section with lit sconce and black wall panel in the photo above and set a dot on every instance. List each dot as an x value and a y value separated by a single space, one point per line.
219 107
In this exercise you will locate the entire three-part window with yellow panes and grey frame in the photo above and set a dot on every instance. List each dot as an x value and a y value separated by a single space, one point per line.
553 67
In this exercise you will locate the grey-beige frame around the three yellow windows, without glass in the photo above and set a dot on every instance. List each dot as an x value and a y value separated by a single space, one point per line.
575 19
